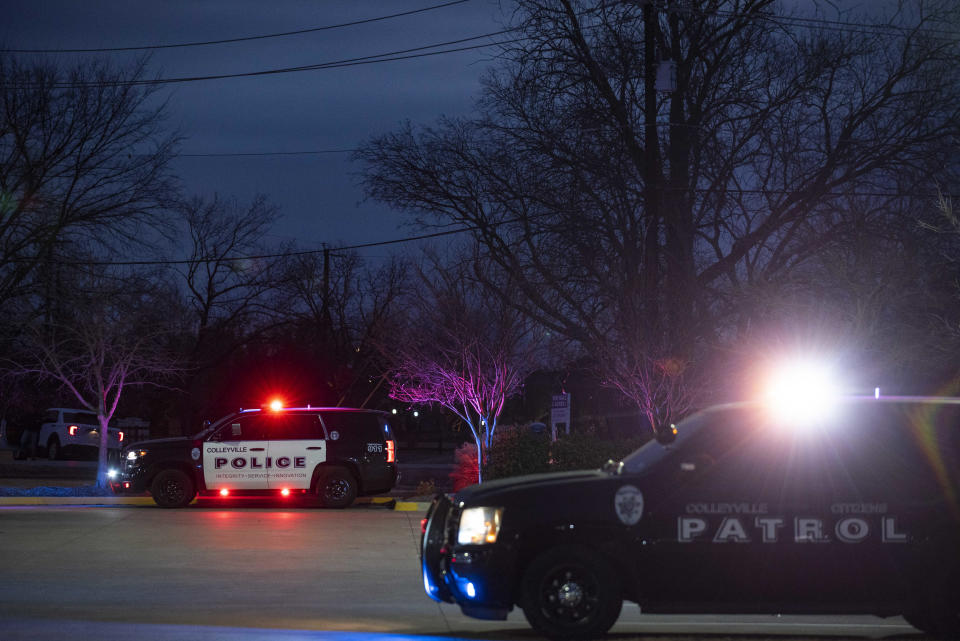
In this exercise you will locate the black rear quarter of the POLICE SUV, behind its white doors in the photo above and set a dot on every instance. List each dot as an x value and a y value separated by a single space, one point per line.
366 440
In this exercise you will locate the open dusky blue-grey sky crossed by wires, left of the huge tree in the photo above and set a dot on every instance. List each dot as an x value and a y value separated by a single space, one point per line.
304 111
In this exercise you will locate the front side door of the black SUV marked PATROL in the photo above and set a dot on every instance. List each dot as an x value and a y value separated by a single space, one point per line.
710 523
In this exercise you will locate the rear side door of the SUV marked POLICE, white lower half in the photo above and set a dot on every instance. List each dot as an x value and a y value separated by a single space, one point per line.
297 447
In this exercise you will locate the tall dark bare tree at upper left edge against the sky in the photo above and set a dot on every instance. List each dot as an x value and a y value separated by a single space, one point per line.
83 159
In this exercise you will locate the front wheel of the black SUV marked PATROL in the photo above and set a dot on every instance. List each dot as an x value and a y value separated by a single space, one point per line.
571 592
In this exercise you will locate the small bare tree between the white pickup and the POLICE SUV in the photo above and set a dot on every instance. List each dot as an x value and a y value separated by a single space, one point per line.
118 336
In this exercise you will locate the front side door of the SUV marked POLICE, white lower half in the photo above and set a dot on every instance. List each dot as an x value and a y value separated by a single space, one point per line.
235 455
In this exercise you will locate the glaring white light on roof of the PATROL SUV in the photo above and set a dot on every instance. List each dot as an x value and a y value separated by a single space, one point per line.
802 393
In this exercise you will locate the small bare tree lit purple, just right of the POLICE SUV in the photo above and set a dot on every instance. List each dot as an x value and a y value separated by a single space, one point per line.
463 351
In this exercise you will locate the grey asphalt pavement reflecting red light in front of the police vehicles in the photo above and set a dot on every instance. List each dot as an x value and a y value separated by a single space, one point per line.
271 573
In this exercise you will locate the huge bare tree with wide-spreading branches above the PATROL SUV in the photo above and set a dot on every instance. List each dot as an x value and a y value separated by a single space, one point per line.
634 221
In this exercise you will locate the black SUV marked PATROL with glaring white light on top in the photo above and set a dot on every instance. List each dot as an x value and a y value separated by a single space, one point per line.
731 511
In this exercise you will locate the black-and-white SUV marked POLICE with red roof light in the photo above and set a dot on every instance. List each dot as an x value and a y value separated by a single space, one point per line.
334 454
